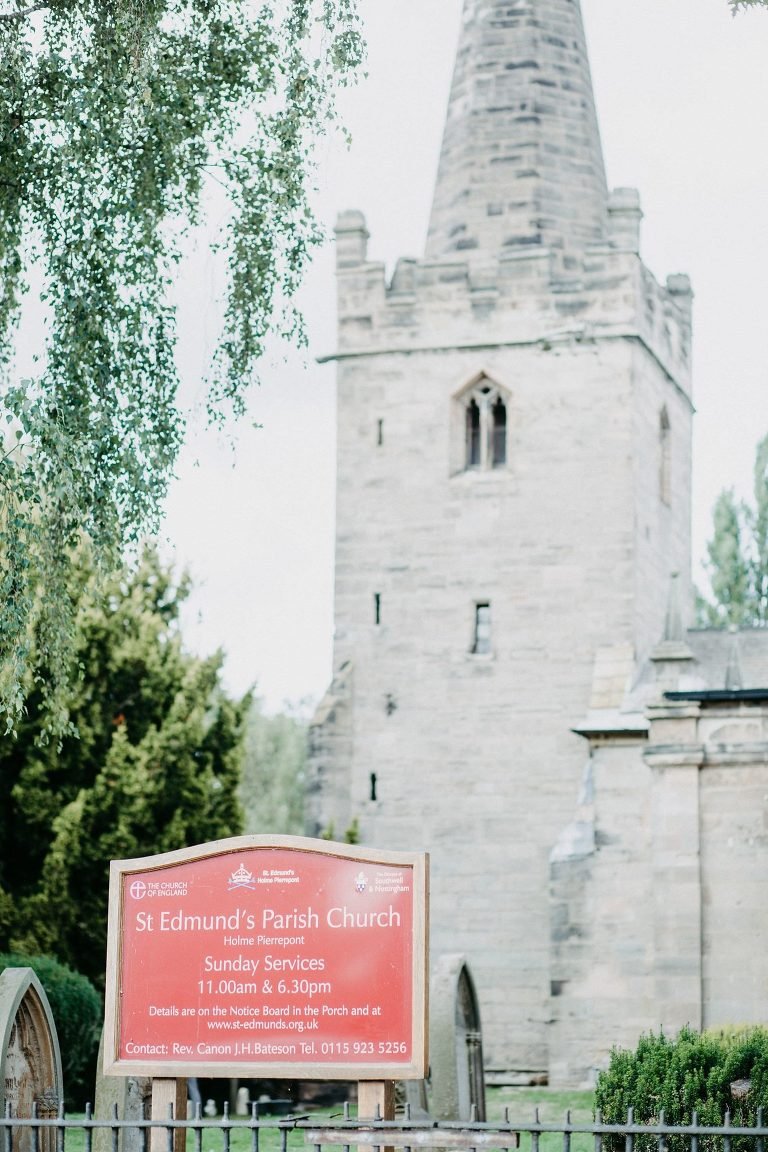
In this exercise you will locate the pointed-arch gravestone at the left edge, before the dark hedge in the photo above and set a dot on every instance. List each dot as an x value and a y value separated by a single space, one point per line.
31 1059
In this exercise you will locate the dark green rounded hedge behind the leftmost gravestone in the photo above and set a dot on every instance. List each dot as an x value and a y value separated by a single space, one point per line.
77 1009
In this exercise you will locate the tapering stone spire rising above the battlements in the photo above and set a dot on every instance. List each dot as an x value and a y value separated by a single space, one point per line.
521 165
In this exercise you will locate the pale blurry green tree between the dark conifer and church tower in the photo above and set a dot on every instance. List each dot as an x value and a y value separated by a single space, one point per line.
275 759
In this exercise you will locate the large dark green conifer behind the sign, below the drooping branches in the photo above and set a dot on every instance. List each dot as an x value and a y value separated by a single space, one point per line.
154 766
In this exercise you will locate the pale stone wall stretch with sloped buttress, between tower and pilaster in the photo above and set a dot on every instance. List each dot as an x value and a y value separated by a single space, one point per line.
602 891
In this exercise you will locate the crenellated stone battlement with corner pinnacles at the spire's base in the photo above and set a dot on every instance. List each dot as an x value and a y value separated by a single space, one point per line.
514 298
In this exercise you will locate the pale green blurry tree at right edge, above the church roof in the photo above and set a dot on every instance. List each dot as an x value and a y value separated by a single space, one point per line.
737 556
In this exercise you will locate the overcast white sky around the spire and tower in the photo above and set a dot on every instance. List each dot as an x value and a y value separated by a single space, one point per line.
682 92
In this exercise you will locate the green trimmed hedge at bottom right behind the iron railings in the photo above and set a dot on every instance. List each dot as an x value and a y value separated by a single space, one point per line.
710 1073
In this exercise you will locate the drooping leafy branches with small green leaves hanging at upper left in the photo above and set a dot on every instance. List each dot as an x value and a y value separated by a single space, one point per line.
117 119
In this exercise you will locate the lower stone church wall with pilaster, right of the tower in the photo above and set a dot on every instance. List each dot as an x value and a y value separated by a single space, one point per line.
658 915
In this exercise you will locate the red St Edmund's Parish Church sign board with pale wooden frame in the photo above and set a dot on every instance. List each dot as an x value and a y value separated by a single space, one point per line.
268 958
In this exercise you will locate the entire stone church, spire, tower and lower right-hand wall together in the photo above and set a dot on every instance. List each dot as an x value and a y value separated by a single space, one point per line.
515 689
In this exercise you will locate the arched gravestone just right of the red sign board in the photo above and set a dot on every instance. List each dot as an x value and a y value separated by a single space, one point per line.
455 1043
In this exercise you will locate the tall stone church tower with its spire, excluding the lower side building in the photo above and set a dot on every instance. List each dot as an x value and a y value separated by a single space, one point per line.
513 498
